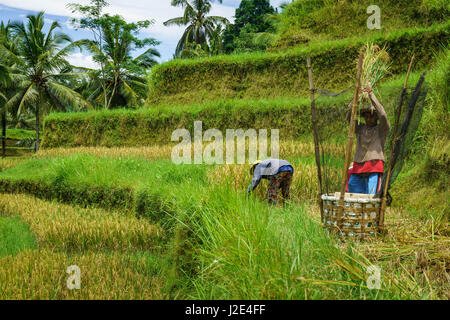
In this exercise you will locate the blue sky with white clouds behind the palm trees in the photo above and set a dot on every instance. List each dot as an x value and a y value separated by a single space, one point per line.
130 10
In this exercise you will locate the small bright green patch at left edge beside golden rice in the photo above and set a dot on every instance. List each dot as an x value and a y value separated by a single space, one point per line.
15 236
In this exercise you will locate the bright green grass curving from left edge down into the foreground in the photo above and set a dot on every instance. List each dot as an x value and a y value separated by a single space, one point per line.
221 243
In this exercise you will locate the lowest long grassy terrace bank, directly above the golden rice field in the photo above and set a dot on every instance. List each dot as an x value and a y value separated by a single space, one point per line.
146 127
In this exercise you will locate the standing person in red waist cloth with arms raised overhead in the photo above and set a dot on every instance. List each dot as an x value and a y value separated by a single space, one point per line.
368 165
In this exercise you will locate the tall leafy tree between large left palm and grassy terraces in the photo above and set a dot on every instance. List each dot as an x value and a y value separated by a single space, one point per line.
121 81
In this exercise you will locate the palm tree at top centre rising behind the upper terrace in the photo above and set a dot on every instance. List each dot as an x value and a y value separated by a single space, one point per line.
200 27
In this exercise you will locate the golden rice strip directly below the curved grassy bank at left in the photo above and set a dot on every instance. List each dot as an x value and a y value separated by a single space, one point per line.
62 227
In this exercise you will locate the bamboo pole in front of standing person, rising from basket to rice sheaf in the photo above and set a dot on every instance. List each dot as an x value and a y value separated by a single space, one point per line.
351 134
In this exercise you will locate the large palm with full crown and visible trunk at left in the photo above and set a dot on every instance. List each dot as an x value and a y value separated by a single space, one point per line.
42 69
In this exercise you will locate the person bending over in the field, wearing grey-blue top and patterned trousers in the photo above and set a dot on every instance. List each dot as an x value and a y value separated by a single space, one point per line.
278 172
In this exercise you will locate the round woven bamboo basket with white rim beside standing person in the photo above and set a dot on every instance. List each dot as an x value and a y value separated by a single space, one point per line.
360 216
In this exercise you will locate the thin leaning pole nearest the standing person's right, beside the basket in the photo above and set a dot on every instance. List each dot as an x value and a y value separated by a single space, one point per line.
394 141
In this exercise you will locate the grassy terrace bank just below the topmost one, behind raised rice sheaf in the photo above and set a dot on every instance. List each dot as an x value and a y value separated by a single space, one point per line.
284 74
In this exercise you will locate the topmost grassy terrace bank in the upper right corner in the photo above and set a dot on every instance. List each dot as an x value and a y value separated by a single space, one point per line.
305 21
